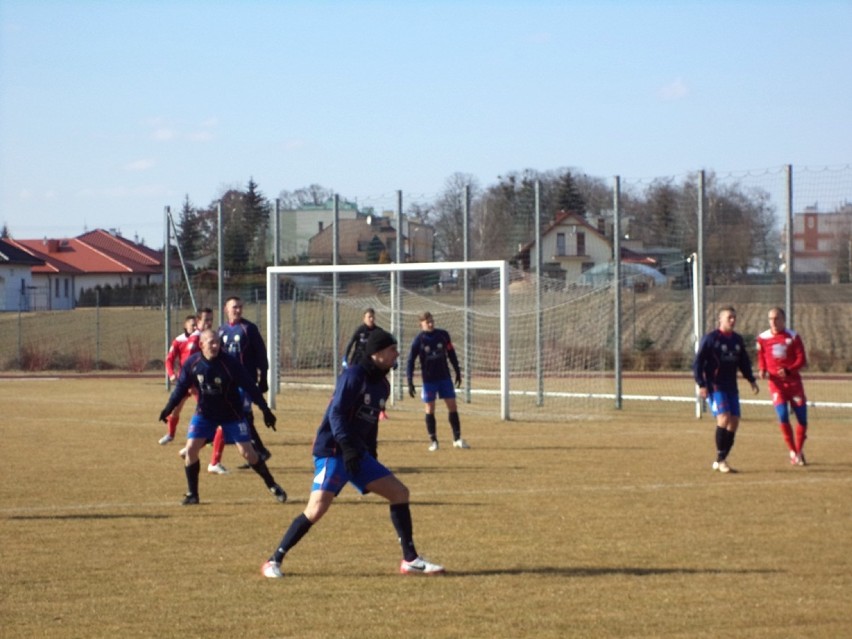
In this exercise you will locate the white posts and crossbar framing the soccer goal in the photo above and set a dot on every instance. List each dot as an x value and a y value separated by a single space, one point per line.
272 310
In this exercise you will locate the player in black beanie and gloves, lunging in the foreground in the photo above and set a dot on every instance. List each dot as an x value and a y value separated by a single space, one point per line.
345 452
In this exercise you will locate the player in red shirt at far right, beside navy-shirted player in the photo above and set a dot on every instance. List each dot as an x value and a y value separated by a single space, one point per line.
780 357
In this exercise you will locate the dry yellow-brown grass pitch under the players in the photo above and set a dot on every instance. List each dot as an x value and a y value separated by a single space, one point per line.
611 525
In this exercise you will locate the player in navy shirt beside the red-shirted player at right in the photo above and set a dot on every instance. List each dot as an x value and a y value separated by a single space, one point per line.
721 354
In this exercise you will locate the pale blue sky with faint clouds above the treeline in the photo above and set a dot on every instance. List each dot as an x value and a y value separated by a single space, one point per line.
110 111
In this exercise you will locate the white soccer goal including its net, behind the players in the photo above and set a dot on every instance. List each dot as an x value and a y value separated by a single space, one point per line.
527 348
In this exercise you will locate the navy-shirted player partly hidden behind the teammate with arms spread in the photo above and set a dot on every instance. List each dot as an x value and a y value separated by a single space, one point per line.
242 339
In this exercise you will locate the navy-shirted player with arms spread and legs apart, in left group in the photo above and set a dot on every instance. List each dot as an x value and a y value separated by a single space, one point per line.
221 381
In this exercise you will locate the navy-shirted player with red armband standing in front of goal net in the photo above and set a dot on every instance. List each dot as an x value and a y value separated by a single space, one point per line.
433 348
